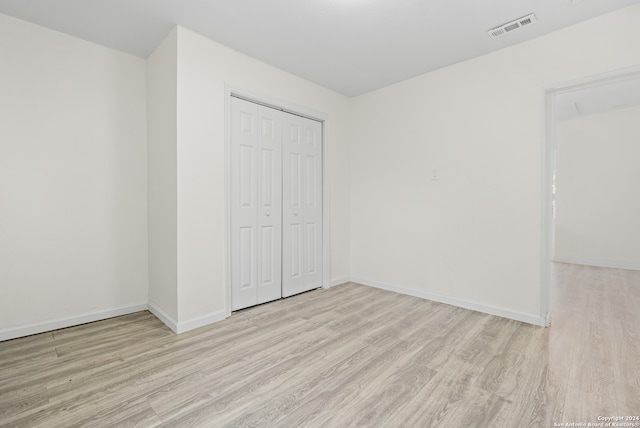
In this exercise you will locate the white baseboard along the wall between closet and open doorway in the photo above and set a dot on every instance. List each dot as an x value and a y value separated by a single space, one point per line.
504 313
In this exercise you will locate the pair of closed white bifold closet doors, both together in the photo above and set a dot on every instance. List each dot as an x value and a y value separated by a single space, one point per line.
276 204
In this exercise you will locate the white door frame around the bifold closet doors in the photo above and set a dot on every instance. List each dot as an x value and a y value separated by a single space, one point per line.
326 223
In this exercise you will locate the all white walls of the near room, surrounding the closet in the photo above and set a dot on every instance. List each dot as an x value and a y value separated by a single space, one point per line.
73 174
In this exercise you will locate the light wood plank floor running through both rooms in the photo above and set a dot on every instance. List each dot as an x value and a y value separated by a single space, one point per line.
344 357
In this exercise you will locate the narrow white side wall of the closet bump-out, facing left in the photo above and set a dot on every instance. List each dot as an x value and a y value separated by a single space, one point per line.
162 71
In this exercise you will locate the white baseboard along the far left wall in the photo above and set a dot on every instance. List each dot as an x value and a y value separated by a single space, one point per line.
41 327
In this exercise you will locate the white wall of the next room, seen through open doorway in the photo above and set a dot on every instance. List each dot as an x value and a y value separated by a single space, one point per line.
598 200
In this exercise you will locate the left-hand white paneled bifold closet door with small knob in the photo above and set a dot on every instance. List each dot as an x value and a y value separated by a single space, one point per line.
256 204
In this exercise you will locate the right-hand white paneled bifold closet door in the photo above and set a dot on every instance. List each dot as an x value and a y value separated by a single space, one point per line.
302 205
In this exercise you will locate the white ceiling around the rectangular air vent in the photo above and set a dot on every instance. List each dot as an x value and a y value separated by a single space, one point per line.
350 46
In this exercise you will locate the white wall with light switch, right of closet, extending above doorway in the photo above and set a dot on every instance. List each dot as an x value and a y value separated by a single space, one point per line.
473 237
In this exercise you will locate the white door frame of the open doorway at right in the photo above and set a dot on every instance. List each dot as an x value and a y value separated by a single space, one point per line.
549 170
